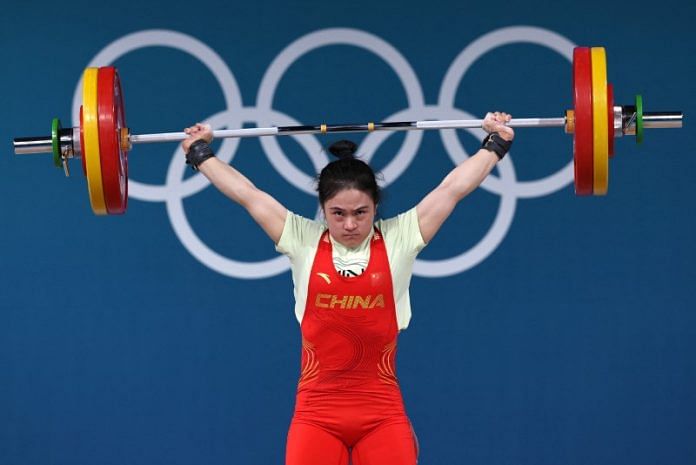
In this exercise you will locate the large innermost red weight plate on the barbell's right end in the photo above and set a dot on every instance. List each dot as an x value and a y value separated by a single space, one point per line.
582 137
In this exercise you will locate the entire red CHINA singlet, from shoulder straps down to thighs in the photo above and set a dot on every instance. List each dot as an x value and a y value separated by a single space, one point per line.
348 397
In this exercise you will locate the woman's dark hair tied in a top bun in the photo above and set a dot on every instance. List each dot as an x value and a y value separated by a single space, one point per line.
347 172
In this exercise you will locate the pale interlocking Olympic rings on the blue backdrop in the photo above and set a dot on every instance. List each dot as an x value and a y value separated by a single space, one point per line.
176 189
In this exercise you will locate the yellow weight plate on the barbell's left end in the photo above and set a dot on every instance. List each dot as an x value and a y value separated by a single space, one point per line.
90 123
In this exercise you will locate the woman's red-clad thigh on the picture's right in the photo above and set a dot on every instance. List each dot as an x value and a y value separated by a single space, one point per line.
393 444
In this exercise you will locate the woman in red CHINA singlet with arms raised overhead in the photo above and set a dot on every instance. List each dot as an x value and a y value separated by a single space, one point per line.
351 278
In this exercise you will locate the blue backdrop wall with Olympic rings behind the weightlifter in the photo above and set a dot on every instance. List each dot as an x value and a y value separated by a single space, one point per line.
547 329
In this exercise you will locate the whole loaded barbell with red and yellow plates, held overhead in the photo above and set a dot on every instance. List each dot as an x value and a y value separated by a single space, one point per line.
103 140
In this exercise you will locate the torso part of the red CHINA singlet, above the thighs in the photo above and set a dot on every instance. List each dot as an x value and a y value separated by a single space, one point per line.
348 383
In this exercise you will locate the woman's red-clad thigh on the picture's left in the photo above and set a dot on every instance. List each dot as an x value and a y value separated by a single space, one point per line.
311 445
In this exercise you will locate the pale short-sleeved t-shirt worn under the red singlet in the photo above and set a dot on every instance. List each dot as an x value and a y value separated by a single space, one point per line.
402 239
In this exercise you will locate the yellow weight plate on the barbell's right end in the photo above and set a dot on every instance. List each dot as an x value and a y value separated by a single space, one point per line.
600 122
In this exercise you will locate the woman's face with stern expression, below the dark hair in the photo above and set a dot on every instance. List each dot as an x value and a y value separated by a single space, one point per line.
349 215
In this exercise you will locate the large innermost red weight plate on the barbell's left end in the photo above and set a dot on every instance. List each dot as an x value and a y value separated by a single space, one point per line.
113 158
